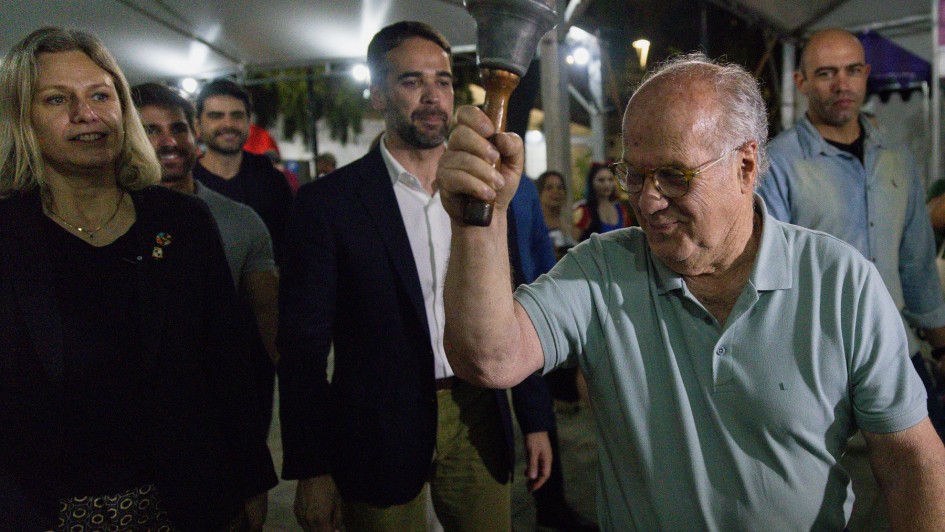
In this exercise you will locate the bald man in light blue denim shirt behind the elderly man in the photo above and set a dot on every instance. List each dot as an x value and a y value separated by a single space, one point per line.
835 172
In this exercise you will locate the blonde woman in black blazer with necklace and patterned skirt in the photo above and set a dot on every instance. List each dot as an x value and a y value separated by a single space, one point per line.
123 374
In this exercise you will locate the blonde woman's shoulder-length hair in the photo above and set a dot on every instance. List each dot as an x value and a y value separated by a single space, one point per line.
21 161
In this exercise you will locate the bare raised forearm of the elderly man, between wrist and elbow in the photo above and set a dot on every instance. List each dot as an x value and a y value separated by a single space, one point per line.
481 335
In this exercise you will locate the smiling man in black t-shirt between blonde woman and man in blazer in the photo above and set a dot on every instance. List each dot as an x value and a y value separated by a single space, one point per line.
223 109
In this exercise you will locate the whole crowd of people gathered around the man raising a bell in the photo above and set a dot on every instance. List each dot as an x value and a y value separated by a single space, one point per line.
737 309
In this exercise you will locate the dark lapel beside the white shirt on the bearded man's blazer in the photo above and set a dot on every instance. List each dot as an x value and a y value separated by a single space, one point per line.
377 195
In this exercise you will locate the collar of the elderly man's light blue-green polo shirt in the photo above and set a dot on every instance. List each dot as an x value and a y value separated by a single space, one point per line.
773 265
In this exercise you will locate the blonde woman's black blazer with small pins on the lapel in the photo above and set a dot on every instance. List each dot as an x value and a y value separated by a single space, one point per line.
207 449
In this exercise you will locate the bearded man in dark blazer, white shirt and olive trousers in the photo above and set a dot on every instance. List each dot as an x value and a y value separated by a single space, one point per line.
363 271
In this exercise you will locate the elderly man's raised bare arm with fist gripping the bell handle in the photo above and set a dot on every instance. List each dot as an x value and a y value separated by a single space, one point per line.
489 339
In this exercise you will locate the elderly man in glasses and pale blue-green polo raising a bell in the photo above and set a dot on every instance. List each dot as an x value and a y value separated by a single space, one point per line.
729 356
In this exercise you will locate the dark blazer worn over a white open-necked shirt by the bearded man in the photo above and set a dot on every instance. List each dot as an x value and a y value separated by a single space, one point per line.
350 279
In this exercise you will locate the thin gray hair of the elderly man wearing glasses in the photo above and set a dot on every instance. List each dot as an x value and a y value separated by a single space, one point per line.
742 112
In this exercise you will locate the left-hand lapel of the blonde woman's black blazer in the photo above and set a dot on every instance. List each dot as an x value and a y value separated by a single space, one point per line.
33 283
